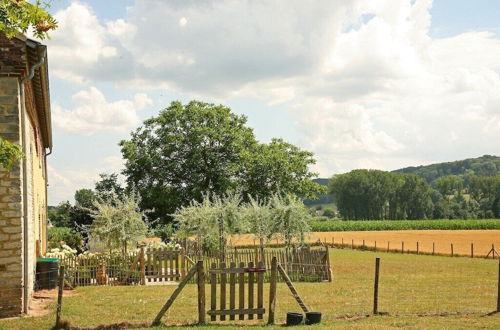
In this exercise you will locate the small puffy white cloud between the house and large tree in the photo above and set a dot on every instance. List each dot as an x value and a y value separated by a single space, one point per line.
92 113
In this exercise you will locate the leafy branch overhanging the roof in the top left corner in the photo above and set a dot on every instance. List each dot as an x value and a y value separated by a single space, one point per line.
20 16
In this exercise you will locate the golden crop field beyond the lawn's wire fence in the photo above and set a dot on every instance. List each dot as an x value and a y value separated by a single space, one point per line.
442 240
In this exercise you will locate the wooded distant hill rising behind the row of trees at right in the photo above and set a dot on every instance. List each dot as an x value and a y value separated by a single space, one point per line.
483 166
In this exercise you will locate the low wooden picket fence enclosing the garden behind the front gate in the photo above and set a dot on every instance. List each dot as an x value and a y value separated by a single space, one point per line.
149 266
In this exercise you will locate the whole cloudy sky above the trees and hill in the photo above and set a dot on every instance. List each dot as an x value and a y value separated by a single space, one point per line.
380 84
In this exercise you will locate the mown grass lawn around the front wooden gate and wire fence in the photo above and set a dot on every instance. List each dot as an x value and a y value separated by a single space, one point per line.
415 292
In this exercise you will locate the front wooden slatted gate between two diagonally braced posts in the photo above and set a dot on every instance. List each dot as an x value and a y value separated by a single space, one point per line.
254 278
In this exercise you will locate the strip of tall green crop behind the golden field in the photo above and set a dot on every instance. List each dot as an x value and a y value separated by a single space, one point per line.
370 225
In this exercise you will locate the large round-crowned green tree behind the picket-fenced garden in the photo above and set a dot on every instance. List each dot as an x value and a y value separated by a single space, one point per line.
196 148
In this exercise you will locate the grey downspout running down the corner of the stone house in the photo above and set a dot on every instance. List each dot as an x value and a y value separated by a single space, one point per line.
25 179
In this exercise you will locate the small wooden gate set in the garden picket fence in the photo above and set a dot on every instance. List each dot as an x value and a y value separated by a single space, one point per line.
163 265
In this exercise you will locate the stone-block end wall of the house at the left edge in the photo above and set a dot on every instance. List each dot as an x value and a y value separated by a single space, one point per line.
11 219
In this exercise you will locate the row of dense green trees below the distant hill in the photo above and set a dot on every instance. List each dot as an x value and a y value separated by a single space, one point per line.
374 194
